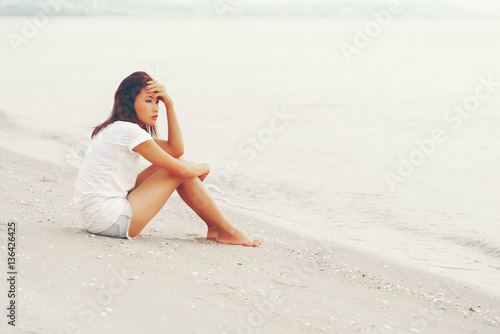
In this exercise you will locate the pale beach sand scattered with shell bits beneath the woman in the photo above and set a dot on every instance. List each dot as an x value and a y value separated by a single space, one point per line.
172 280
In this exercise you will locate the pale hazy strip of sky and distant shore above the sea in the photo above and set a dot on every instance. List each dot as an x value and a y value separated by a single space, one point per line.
227 9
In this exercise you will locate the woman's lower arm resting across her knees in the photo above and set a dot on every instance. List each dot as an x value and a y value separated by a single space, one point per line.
180 168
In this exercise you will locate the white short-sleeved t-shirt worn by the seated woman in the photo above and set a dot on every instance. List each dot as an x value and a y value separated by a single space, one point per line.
107 173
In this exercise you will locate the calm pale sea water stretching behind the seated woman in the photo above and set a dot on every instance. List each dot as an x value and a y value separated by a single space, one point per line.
388 142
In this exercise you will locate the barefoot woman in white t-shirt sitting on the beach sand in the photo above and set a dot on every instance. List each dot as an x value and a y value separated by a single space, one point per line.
113 199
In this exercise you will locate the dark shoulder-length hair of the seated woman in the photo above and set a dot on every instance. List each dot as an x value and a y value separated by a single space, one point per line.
123 108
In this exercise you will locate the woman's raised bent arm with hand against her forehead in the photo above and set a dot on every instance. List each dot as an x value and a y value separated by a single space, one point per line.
174 145
